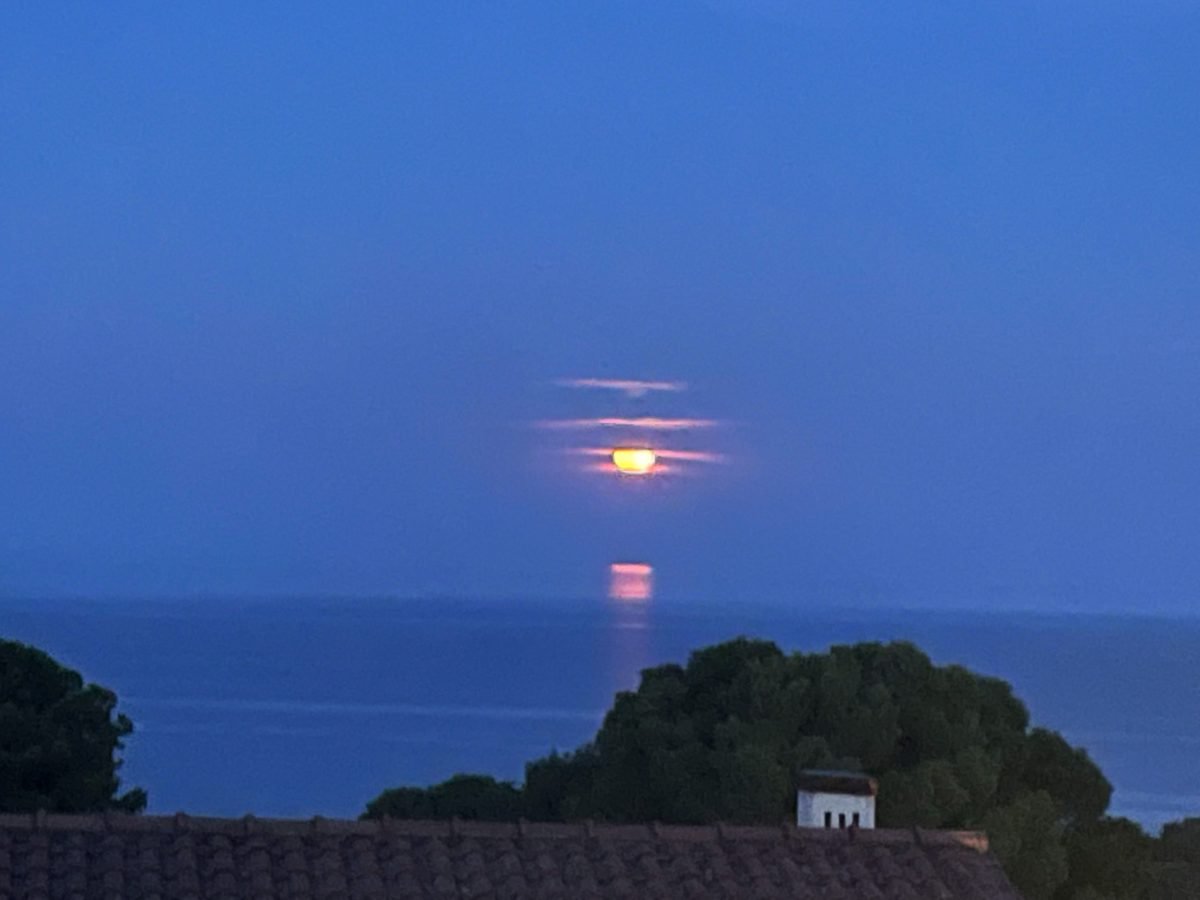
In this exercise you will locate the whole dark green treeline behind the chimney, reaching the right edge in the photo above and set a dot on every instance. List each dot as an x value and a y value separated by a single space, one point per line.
722 740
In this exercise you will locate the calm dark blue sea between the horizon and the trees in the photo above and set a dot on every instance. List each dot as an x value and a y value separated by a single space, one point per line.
302 707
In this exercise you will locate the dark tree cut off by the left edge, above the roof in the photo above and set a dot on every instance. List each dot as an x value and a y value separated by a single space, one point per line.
59 739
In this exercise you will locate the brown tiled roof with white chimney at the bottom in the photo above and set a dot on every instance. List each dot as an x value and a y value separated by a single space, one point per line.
47 857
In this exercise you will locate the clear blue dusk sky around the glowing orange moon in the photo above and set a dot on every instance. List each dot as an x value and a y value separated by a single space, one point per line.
284 289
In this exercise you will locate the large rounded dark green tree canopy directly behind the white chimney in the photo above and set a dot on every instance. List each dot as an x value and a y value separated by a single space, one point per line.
723 739
